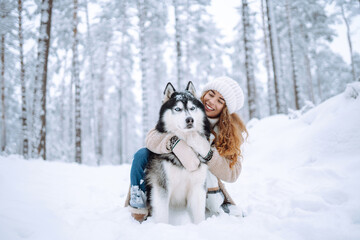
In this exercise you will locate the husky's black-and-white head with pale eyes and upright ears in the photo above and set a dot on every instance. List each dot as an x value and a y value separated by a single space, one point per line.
182 112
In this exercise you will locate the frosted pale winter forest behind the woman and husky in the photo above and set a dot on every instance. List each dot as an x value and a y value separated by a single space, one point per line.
82 80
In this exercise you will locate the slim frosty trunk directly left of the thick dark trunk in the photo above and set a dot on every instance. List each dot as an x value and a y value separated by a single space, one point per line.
23 86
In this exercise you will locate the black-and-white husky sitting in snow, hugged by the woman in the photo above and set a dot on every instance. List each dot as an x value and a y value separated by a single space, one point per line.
168 183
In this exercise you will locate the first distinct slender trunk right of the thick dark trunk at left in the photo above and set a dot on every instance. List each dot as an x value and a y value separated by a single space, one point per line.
75 73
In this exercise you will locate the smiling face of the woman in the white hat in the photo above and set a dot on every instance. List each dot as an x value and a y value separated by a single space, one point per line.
214 103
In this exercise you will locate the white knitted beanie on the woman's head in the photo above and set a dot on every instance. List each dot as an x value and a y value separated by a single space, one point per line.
230 90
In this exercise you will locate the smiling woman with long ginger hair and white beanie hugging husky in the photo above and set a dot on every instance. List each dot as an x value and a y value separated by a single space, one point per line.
221 98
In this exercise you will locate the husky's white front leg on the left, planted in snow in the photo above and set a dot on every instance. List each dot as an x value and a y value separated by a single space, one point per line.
160 205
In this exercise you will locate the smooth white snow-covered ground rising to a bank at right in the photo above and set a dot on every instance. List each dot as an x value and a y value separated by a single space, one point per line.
300 180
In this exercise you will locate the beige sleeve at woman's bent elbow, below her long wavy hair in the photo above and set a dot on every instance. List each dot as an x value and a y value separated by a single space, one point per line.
220 167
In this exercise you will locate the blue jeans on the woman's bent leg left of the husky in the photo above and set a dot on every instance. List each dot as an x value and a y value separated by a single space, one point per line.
138 167
